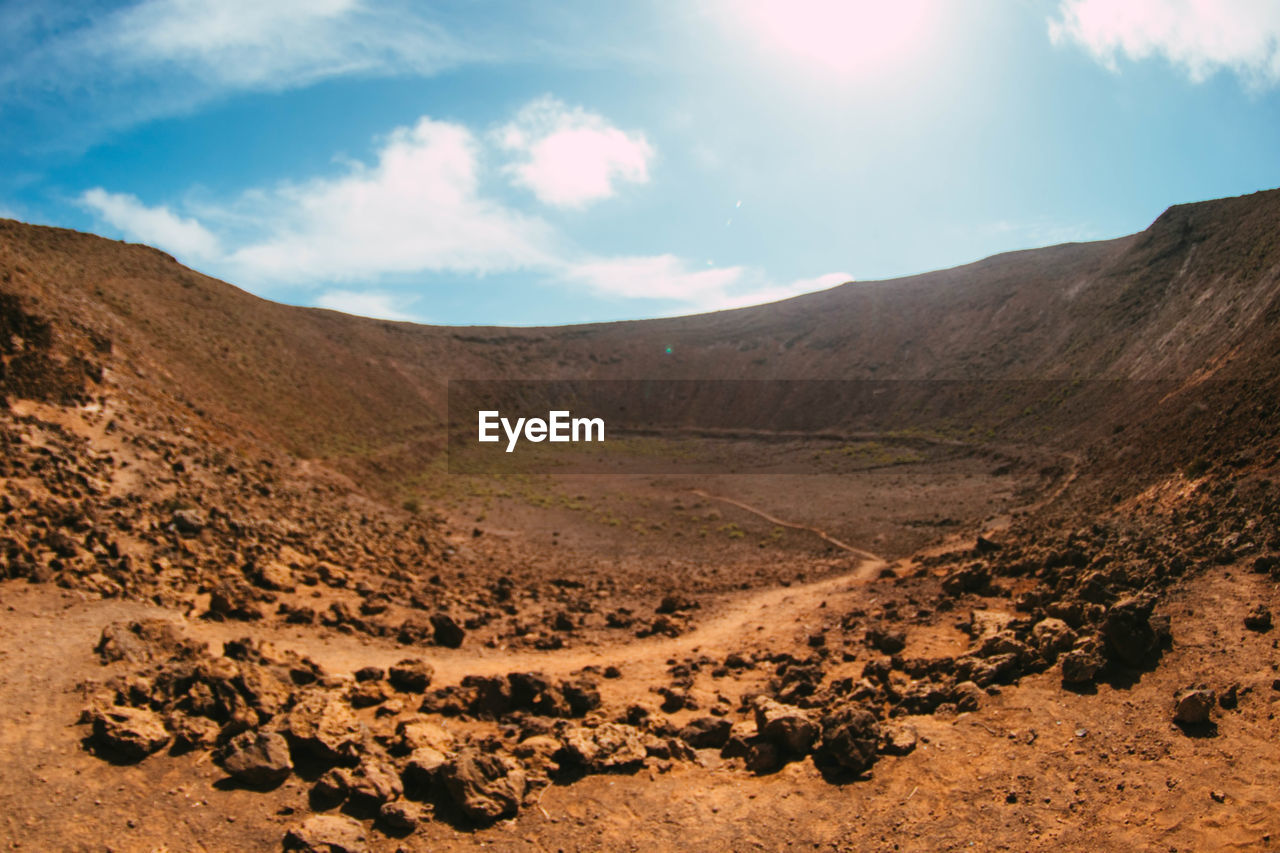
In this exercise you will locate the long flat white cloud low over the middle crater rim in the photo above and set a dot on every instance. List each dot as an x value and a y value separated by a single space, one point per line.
666 277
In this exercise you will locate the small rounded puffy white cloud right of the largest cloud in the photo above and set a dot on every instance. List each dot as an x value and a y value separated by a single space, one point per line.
570 158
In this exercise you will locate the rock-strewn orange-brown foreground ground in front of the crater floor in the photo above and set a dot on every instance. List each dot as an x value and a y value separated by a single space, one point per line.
252 637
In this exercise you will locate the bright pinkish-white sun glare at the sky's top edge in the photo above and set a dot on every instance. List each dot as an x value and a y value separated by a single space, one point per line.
845 38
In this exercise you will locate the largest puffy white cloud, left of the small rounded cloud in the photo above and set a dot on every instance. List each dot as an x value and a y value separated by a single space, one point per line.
417 209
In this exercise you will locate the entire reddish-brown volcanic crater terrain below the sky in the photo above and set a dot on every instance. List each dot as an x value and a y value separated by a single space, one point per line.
1023 601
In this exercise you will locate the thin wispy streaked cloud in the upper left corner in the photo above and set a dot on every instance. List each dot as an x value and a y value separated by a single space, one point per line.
75 72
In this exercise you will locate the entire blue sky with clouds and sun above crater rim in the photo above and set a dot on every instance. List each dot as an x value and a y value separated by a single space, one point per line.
476 162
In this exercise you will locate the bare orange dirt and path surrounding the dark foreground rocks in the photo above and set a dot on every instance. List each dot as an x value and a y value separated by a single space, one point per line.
1036 769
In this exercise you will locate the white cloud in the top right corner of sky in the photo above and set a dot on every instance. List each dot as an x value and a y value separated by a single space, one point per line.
1203 37
